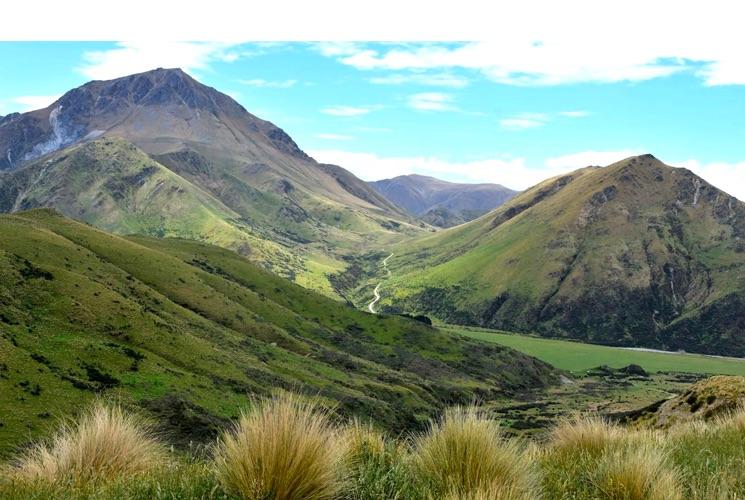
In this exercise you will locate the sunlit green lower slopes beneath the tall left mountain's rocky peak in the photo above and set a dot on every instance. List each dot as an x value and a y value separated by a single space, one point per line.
114 185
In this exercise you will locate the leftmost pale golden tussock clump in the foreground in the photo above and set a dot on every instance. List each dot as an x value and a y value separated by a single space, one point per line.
105 443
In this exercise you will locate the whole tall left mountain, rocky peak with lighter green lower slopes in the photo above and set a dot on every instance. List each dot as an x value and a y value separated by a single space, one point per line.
159 153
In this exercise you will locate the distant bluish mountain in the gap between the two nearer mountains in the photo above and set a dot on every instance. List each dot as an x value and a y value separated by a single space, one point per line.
442 203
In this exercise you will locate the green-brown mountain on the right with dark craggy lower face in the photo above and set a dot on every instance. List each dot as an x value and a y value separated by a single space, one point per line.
637 253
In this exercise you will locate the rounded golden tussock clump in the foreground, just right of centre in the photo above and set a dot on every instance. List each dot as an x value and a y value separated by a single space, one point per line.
464 455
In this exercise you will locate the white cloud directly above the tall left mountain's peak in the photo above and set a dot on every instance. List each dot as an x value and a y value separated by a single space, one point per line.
128 58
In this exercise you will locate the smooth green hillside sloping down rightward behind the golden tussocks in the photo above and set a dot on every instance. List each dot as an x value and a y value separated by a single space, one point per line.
190 331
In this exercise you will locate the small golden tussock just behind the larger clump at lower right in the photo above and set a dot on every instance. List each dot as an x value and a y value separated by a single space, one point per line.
585 434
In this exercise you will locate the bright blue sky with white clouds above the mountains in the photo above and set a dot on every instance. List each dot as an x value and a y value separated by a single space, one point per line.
512 111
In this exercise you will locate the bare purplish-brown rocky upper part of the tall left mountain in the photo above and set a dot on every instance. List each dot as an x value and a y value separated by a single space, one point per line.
164 103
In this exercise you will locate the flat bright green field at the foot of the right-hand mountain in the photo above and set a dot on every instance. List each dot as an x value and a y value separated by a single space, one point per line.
577 357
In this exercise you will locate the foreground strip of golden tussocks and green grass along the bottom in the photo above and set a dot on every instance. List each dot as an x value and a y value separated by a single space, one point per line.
287 448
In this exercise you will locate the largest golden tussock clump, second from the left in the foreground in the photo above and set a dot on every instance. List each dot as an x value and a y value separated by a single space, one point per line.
283 448
